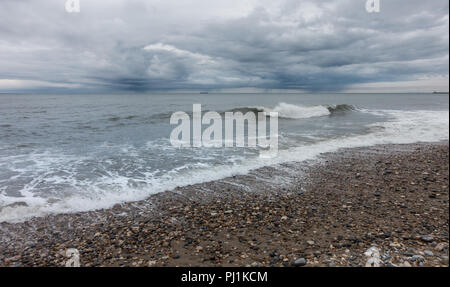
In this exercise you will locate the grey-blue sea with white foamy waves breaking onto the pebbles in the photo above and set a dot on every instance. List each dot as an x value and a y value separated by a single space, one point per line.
68 153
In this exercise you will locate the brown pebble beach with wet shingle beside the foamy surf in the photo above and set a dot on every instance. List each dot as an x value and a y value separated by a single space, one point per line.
327 212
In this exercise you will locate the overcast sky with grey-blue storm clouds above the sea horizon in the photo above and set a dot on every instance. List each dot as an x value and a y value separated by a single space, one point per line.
224 45
